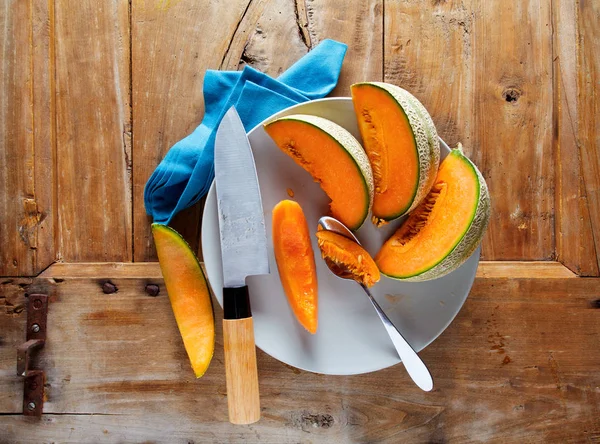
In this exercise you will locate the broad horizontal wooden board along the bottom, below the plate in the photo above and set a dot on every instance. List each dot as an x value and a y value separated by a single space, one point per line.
518 364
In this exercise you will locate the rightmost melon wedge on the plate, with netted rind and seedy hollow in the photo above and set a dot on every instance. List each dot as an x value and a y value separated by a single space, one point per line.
445 229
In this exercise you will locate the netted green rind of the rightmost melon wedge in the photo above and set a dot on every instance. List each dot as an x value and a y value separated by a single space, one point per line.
471 237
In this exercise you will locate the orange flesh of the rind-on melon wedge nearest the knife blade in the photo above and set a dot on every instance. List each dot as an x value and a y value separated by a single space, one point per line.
329 164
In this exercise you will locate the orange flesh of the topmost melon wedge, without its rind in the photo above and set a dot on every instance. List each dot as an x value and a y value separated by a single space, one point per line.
391 149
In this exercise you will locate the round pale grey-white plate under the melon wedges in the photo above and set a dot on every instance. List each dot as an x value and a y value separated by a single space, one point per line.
350 338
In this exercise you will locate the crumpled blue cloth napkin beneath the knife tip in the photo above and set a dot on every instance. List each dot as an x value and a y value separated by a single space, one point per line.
186 172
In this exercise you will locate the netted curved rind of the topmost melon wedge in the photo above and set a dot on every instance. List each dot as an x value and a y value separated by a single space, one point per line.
426 141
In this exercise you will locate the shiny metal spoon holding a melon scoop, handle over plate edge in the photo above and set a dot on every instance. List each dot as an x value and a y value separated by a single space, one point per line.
412 362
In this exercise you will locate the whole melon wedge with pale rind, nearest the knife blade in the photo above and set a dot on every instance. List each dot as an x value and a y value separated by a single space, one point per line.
334 158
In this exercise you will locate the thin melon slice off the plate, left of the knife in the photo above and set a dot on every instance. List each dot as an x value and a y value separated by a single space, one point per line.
189 296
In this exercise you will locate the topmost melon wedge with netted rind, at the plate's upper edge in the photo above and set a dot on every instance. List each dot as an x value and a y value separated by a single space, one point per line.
402 145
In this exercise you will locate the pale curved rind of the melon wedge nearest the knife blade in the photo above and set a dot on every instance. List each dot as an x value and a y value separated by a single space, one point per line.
349 144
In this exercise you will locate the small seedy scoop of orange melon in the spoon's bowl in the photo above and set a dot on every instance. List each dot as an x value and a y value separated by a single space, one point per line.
349 257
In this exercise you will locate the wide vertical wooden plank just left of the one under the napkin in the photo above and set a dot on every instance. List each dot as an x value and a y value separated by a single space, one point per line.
93 118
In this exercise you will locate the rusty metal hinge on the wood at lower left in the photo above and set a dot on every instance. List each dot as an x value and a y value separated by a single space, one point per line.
33 392
